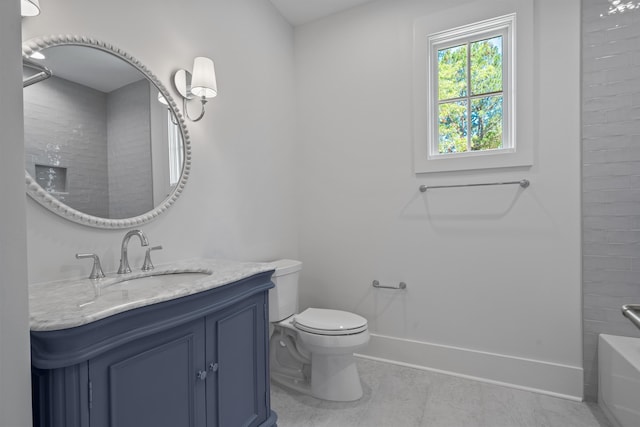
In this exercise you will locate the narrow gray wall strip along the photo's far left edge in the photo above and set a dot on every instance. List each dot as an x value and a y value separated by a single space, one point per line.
15 392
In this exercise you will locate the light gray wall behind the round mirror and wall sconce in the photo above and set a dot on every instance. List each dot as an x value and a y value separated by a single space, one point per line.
240 201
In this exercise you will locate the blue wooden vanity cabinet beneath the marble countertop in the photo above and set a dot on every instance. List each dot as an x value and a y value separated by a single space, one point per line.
196 361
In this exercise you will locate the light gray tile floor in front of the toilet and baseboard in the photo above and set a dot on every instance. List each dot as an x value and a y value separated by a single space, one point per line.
397 396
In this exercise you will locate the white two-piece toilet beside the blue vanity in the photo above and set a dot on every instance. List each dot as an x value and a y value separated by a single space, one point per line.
312 352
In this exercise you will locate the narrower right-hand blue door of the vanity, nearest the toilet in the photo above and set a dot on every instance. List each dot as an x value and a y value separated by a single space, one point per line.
237 357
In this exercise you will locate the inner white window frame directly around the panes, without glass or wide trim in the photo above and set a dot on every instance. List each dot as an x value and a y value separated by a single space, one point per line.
502 26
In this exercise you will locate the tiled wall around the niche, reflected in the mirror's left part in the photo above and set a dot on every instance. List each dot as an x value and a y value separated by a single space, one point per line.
65 126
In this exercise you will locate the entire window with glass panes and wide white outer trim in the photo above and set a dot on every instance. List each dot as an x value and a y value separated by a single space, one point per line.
469 64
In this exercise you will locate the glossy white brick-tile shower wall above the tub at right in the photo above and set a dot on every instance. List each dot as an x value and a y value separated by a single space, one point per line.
611 176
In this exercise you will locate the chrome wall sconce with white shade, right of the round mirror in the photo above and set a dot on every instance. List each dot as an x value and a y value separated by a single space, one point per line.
201 84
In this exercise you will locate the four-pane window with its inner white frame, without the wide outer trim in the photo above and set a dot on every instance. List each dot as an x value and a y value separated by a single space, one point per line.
469 78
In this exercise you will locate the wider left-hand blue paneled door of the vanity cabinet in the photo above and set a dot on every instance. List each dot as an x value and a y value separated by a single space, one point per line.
151 382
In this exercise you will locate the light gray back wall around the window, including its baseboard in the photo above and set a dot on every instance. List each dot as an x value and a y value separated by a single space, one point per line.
470 256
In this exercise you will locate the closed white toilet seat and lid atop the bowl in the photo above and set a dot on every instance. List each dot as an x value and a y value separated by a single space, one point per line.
329 322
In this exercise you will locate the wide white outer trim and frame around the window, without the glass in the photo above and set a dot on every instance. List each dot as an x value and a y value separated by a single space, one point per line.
452 27
